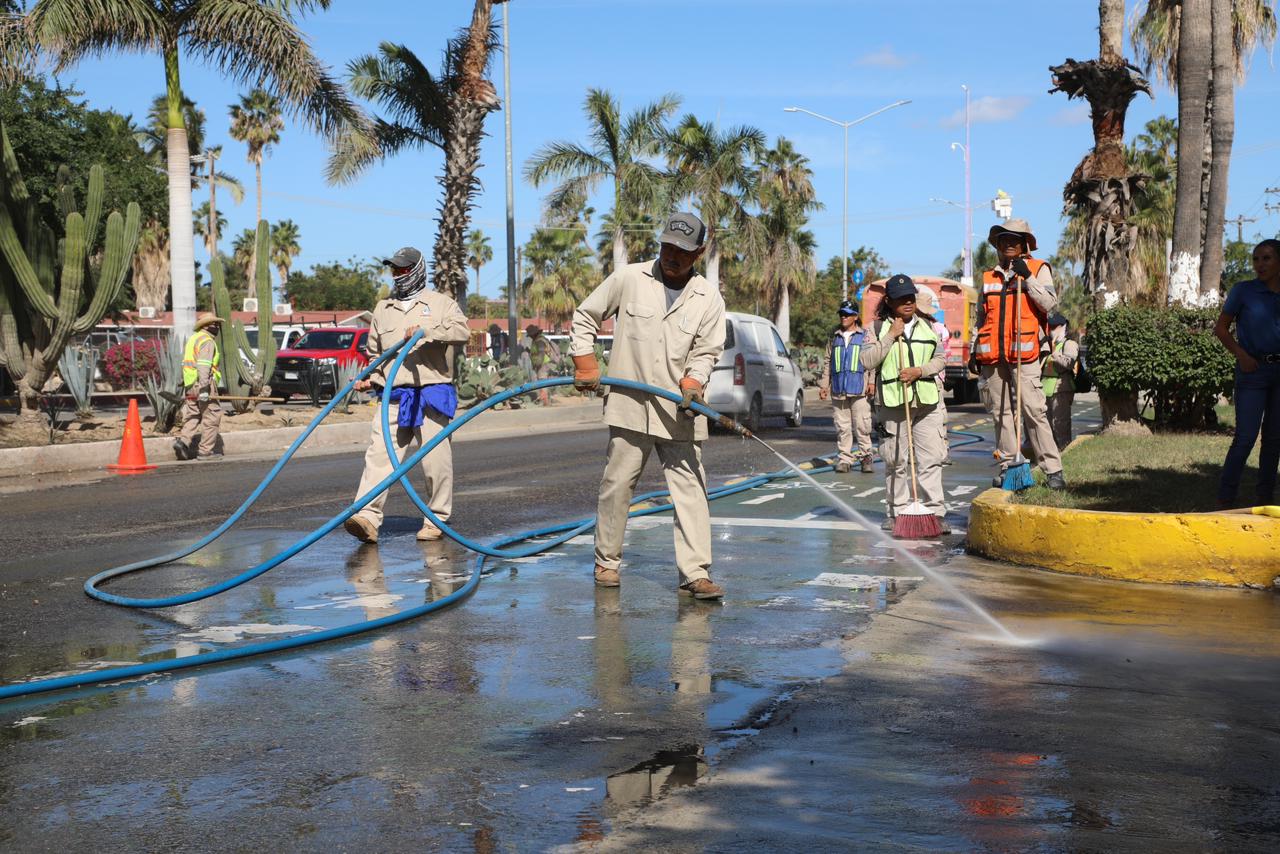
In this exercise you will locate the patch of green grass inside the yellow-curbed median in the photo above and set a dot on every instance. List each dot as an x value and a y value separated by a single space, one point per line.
1162 474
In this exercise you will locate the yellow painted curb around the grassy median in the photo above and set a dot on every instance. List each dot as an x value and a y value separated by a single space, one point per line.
1167 549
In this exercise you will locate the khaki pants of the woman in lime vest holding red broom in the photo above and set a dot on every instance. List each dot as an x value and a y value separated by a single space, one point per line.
931 450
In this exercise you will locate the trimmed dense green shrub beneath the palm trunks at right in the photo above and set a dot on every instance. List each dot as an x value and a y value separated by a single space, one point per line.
1168 355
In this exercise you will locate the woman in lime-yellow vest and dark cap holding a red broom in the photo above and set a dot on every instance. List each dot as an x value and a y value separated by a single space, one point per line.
903 353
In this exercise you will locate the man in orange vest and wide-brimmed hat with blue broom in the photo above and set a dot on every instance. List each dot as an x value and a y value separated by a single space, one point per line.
1011 336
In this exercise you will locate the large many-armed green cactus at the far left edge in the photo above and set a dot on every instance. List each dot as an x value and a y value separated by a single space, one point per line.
53 289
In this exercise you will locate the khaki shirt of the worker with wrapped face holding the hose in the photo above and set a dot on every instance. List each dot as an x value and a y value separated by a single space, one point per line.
432 360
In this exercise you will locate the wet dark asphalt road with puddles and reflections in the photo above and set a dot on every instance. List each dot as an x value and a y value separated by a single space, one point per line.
545 714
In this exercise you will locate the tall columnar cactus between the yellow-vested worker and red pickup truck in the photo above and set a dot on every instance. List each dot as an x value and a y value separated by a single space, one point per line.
240 378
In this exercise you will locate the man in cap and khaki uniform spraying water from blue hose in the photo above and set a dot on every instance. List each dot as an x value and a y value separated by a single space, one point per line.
669 334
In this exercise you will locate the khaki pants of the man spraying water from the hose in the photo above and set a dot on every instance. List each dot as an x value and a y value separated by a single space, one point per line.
683 468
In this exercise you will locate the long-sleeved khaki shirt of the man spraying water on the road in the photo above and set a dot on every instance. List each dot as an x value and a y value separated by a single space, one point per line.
653 345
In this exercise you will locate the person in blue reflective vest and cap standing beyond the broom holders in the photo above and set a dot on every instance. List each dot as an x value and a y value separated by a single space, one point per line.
851 390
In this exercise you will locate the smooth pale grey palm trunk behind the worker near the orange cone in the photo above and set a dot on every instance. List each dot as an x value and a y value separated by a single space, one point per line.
182 243
